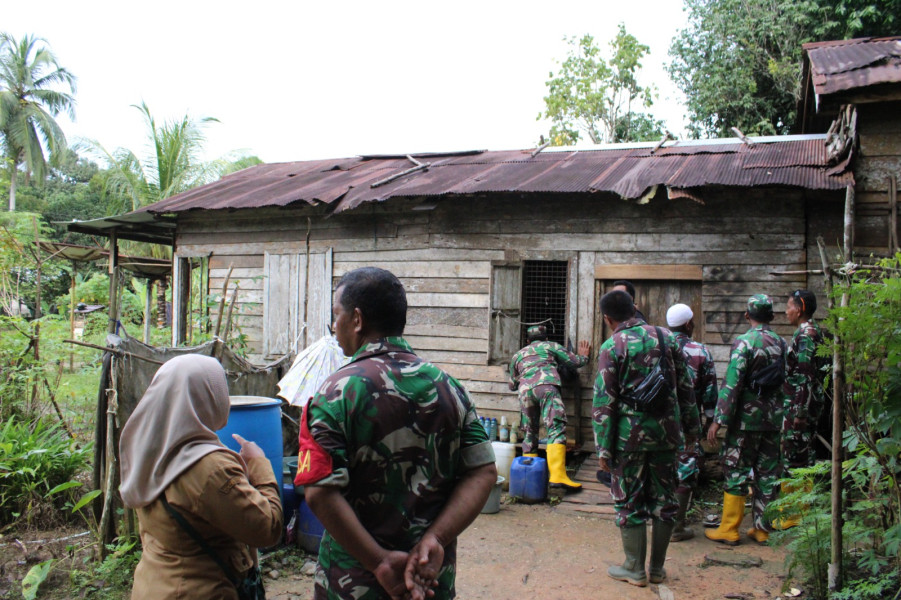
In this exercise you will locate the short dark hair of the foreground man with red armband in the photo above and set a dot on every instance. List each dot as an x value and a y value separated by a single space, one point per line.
379 295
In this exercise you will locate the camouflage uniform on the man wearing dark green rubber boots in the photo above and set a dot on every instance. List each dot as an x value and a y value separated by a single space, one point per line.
641 448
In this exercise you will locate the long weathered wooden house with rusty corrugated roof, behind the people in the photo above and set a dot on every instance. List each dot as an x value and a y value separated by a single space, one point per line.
488 241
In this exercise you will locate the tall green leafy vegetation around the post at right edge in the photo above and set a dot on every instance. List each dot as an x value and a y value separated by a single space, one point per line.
869 330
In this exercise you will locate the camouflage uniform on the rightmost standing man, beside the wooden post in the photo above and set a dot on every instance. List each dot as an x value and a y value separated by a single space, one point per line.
804 397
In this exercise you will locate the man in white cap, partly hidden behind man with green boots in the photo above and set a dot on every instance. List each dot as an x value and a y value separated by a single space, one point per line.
702 369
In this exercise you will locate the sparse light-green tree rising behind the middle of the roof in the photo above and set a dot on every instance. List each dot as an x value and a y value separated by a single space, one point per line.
600 97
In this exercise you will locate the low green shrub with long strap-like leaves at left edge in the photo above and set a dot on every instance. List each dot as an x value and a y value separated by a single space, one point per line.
34 459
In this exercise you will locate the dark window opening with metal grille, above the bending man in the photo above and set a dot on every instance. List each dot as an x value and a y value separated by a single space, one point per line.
544 297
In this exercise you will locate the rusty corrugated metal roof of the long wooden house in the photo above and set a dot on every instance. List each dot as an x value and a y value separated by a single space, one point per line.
629 171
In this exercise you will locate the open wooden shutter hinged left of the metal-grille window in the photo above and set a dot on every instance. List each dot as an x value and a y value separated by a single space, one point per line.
505 311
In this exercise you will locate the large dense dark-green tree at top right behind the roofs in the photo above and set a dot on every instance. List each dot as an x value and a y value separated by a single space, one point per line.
739 61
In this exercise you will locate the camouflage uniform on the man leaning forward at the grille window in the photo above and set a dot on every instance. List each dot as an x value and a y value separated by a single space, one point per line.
534 370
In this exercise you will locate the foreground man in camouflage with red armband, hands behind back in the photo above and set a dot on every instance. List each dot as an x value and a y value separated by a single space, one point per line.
393 457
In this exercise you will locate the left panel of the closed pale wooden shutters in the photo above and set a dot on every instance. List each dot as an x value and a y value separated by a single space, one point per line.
280 303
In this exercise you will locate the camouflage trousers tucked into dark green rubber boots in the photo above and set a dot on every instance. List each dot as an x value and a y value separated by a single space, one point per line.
643 487
